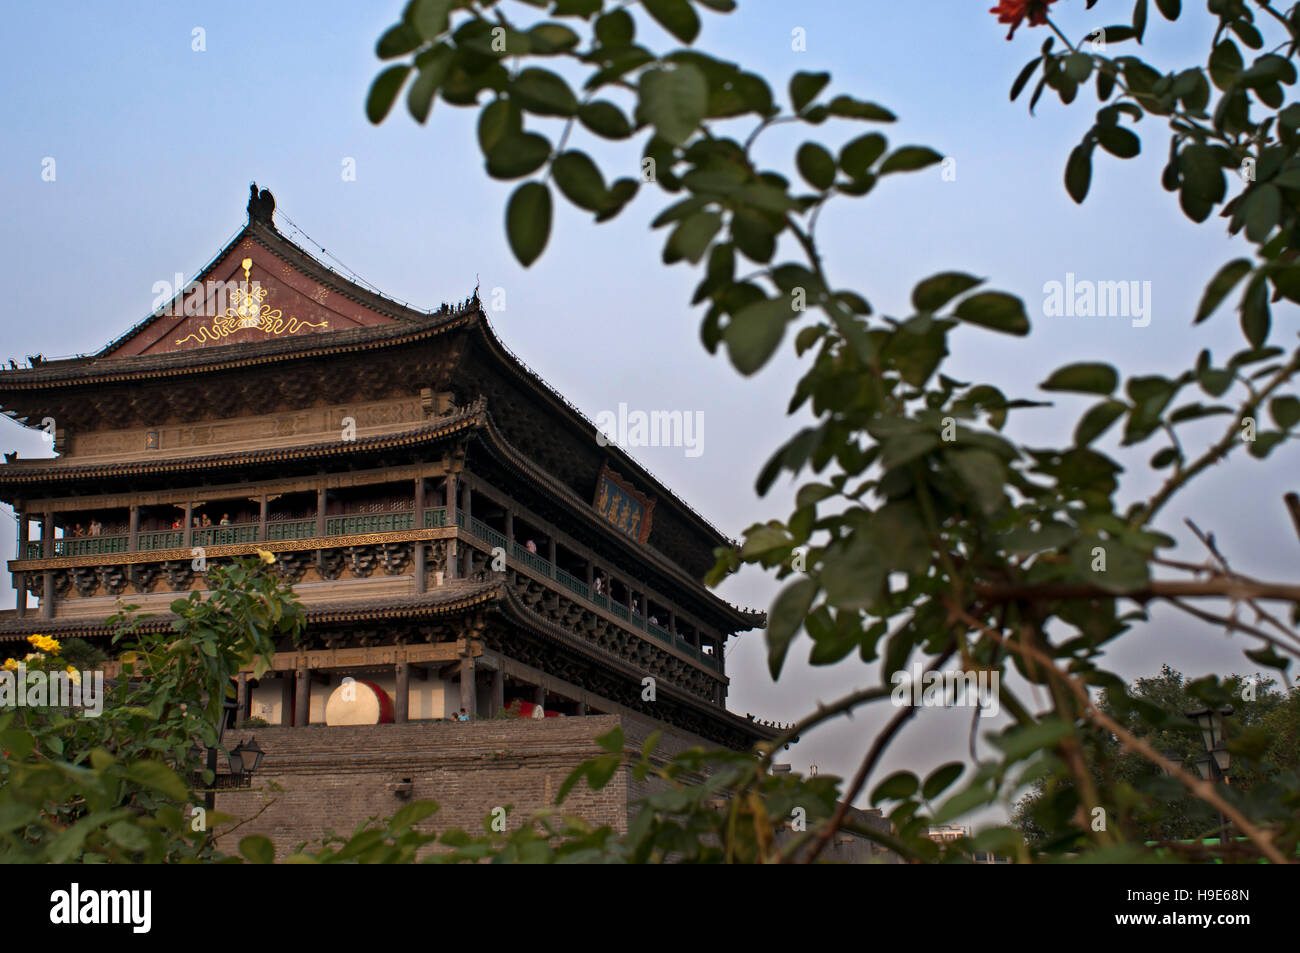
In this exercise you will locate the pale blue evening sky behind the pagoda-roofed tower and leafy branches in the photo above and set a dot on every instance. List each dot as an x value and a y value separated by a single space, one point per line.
155 146
